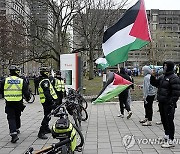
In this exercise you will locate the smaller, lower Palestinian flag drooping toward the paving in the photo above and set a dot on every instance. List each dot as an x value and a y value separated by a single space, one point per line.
114 86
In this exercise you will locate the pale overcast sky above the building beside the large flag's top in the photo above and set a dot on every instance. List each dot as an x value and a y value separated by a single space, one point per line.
161 4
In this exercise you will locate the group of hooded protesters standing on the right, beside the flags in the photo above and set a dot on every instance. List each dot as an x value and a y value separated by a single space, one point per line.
167 89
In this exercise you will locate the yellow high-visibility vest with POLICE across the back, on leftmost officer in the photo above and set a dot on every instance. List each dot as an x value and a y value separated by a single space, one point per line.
13 89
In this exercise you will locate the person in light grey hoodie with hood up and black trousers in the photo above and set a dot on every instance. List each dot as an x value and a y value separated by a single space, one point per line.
149 93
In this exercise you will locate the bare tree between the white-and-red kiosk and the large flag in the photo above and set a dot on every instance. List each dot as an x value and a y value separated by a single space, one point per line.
91 22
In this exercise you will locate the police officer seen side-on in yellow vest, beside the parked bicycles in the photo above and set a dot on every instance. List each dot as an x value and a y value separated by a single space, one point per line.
47 98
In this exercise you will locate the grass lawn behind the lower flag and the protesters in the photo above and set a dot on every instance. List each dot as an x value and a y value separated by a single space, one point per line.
93 87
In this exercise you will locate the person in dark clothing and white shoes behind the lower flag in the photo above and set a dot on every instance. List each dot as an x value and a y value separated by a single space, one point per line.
123 96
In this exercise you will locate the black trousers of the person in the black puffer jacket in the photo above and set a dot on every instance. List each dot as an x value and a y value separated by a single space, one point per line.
167 117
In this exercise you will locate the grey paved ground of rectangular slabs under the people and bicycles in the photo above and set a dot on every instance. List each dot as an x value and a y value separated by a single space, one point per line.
104 132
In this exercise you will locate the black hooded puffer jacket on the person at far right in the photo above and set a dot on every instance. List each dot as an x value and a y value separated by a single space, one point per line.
168 86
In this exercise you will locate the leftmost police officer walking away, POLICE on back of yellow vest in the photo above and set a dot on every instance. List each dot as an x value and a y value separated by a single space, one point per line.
13 89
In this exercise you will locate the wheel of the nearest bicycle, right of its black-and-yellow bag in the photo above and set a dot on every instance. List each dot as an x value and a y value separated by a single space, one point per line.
79 136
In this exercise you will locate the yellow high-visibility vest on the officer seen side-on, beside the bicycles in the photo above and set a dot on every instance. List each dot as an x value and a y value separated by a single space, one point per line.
41 92
